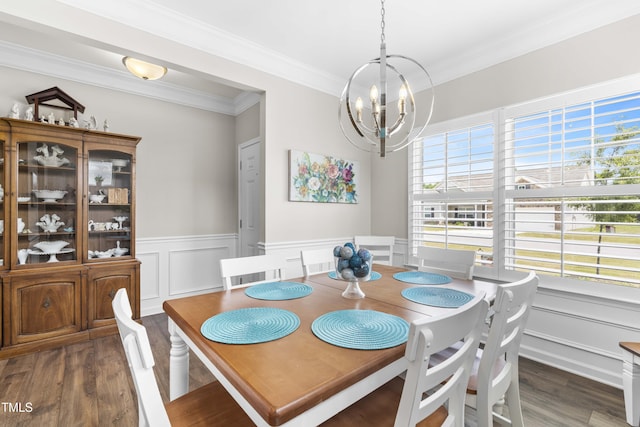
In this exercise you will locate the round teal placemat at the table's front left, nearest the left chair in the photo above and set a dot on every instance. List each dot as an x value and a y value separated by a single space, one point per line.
250 325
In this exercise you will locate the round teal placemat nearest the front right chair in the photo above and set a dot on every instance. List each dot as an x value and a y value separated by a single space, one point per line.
361 329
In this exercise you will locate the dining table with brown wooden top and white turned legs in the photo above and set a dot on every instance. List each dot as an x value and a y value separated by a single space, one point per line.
297 380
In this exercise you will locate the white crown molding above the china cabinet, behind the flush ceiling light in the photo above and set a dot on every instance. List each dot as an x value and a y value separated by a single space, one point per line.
35 61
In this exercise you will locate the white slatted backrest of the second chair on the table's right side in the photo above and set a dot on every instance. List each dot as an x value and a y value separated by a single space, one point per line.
511 310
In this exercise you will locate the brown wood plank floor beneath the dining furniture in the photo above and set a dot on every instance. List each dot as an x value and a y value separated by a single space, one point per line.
88 384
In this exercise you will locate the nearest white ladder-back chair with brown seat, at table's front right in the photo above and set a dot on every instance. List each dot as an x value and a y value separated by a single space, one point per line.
420 400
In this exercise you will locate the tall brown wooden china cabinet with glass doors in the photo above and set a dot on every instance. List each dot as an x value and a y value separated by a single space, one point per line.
68 237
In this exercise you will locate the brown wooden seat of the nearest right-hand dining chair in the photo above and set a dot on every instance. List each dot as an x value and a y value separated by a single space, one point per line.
379 408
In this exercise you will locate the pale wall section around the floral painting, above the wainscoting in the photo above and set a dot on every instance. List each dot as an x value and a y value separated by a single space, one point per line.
307 120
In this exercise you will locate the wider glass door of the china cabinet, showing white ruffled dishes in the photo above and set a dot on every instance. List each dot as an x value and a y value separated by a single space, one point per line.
47 200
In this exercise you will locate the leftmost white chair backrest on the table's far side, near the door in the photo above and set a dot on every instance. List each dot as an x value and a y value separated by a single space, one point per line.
270 267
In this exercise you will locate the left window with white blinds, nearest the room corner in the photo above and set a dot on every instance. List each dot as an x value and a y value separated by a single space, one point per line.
452 188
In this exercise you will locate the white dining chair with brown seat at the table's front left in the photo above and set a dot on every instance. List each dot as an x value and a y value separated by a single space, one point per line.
209 405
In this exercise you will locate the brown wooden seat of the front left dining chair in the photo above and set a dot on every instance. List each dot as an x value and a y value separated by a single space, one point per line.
209 405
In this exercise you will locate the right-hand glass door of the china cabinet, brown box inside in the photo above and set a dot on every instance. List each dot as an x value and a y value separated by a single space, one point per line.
109 181
